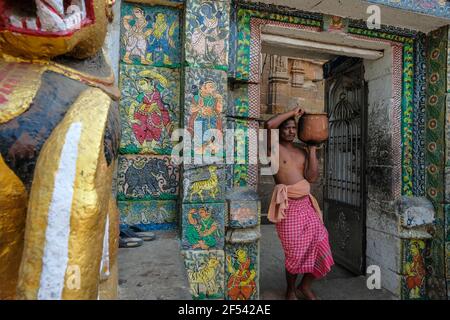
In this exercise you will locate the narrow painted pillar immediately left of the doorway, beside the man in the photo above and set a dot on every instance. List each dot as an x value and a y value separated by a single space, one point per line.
242 249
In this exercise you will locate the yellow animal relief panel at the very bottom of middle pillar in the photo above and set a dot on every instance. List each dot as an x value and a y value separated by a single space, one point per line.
205 270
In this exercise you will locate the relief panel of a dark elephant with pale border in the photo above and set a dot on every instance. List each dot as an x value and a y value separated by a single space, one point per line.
147 177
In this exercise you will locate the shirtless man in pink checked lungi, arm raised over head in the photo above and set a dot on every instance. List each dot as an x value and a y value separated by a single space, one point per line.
298 218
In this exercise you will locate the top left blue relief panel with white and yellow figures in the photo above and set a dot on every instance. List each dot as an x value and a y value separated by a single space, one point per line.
150 35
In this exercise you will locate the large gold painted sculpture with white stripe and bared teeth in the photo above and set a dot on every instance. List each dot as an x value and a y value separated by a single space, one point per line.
59 136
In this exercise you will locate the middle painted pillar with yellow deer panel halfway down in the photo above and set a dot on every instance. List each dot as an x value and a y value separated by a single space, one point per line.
204 184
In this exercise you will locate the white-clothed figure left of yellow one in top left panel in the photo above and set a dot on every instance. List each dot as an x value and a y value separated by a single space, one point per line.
135 36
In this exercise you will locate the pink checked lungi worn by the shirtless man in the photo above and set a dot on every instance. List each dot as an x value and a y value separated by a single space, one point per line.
304 239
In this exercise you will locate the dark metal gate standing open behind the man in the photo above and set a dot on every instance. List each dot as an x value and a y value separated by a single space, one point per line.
345 187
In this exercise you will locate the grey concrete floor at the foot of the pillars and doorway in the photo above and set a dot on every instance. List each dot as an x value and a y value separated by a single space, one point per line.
155 271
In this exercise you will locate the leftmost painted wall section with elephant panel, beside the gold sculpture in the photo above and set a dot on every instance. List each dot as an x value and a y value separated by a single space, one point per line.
149 80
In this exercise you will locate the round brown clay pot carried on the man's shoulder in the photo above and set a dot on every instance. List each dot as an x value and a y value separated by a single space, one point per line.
313 128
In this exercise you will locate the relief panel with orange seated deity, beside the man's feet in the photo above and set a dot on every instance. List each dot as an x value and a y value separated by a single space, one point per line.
241 271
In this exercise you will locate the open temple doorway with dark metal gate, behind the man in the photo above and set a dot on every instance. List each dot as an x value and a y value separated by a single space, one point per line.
350 84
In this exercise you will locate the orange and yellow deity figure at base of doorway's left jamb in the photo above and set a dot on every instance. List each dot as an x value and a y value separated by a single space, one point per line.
241 283
